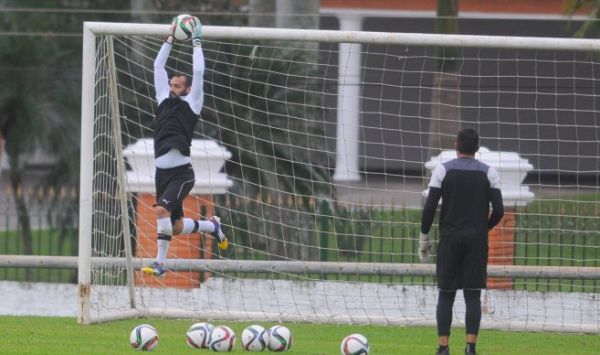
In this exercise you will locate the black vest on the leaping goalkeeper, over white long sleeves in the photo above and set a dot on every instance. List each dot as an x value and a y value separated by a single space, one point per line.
174 126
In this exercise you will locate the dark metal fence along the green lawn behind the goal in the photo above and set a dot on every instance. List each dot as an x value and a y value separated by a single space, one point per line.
546 233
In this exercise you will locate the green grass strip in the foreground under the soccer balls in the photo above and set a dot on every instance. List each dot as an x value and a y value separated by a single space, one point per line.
44 335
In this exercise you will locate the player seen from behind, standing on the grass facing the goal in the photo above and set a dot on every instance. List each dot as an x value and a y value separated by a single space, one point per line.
467 187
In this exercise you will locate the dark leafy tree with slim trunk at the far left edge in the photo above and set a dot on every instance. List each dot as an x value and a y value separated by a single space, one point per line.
27 108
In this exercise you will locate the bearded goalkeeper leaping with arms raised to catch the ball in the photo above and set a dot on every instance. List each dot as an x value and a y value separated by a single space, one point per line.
179 103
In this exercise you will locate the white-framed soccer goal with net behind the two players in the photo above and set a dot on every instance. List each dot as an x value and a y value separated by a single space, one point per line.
314 148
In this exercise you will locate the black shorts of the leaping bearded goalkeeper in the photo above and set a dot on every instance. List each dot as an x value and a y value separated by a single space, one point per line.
172 186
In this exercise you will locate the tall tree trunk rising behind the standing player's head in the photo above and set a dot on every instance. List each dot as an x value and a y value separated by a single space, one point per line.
445 113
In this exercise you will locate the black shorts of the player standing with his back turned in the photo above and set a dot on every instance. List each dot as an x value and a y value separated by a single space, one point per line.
462 263
